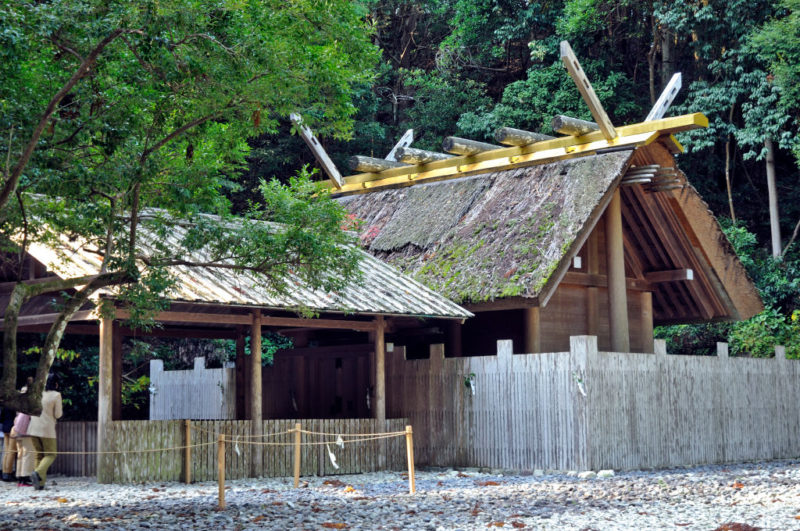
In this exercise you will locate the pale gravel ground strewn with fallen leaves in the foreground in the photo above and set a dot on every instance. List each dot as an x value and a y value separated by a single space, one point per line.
730 497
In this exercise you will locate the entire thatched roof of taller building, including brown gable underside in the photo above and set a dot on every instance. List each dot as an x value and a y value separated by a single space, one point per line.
513 234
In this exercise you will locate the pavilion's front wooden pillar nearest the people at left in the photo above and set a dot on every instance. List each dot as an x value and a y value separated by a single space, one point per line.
104 392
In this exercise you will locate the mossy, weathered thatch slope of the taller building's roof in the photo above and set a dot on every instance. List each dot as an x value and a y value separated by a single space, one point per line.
495 235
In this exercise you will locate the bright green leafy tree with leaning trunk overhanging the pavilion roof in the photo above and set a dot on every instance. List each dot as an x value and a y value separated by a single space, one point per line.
111 108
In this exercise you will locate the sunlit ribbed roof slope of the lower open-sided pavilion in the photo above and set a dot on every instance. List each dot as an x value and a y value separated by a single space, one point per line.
384 290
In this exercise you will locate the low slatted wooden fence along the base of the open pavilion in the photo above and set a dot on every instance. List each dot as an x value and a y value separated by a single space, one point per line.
133 466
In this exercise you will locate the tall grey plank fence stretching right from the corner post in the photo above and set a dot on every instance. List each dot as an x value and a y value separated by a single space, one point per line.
659 410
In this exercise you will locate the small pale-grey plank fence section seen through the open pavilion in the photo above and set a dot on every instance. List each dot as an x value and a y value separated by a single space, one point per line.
194 394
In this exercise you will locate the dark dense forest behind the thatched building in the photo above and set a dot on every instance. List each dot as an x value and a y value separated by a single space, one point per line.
466 67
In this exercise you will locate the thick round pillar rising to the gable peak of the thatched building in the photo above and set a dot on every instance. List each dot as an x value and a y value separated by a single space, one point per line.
617 290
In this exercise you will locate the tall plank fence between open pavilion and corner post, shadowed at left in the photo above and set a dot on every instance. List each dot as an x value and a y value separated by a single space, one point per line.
522 415
